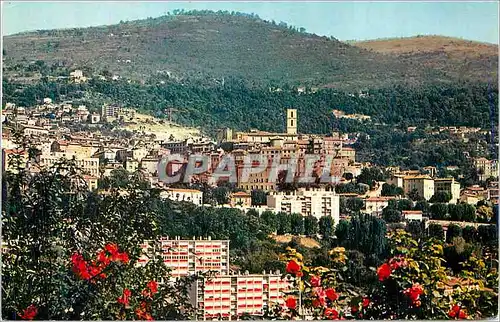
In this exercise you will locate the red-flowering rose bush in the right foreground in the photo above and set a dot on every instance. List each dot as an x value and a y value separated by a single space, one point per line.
412 283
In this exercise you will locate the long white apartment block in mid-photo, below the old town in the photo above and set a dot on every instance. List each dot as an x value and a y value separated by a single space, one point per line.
315 202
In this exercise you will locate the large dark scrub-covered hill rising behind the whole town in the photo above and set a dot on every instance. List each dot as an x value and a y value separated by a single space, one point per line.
208 45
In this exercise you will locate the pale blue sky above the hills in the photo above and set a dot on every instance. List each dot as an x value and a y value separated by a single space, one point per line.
343 20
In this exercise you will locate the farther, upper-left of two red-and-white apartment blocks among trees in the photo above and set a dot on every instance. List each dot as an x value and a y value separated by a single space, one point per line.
188 257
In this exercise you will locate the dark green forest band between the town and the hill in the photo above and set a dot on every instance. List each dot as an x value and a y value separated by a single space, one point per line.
241 107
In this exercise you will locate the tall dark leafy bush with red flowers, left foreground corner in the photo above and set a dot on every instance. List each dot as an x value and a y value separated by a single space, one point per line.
70 254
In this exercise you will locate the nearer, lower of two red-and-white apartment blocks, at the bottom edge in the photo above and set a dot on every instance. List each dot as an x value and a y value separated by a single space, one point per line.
228 297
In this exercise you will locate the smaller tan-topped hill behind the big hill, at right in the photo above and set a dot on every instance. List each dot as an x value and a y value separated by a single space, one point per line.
457 57
